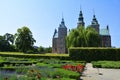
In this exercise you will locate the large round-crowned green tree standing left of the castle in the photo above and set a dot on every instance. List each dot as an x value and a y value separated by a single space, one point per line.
24 39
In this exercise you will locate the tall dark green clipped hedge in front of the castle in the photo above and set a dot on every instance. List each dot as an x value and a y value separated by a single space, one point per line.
94 54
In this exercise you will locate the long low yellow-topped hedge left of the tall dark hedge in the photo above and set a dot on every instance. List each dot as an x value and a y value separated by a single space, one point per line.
45 56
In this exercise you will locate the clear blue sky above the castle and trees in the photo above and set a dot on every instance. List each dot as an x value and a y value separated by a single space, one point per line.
42 17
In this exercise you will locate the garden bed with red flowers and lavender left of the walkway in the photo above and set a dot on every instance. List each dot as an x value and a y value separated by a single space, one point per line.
40 69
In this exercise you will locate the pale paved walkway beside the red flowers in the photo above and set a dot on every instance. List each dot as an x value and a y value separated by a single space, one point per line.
91 73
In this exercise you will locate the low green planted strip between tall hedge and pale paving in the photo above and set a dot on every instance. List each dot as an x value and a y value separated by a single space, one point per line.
106 64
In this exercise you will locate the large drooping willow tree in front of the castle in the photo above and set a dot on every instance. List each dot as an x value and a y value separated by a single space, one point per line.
83 37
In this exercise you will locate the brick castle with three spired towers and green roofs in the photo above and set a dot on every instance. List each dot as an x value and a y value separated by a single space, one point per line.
59 37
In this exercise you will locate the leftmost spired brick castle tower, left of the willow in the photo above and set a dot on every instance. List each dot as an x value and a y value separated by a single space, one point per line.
62 33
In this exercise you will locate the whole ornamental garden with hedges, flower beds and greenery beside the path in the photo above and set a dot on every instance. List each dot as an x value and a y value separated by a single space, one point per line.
51 66
